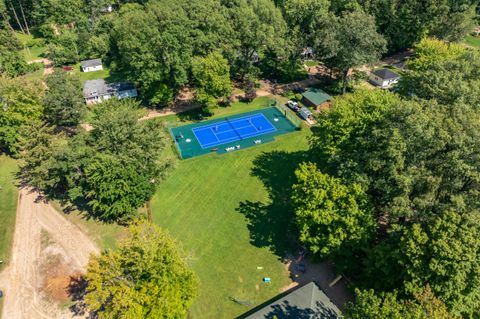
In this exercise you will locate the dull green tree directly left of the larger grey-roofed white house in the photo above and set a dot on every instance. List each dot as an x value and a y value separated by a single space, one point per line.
64 104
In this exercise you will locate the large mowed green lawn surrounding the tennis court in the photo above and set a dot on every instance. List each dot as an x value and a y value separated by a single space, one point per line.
220 211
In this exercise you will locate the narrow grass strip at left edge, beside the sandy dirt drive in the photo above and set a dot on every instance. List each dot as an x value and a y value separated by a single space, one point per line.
8 206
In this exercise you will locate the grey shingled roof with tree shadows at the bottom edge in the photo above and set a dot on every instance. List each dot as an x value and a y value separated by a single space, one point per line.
306 302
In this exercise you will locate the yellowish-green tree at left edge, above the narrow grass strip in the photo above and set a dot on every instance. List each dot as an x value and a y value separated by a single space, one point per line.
20 105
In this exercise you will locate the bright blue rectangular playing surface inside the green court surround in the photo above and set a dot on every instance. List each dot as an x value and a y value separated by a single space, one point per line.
211 135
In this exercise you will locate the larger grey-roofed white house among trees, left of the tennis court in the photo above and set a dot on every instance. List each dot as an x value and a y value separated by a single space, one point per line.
95 91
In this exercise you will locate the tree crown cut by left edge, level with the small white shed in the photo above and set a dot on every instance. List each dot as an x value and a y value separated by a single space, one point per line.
12 62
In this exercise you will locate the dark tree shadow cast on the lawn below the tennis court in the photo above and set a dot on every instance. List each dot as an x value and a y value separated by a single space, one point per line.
272 225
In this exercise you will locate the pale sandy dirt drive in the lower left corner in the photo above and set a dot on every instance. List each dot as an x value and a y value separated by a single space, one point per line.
25 277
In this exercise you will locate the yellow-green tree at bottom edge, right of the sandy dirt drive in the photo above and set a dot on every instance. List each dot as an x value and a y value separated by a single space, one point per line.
146 277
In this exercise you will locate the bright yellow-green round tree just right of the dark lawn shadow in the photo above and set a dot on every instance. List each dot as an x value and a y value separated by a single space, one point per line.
334 219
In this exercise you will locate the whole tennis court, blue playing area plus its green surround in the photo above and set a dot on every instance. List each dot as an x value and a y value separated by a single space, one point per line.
232 133
